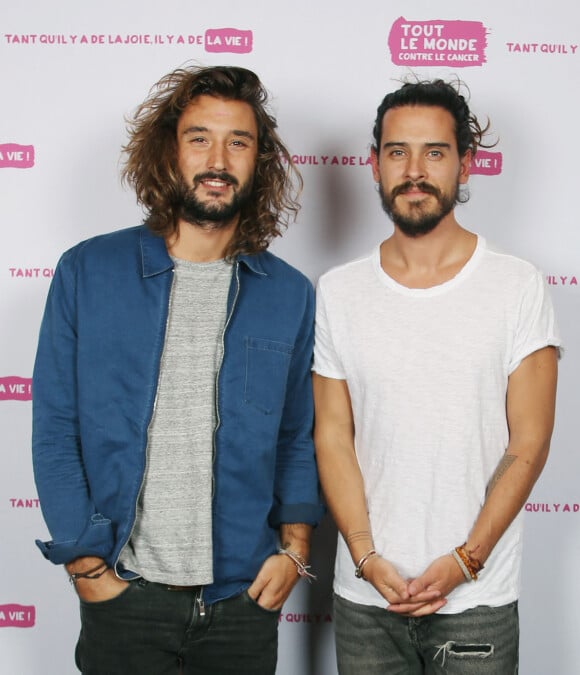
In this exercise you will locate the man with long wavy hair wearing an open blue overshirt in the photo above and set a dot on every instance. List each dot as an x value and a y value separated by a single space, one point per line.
173 409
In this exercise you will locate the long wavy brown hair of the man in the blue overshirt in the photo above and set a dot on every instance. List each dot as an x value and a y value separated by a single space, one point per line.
150 166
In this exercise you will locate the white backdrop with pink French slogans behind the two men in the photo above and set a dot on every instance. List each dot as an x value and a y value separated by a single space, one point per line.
71 71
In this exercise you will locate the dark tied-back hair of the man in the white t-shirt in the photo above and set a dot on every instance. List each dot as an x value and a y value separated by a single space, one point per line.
468 132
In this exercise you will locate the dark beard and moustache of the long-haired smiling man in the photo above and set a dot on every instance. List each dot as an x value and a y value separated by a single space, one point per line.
212 215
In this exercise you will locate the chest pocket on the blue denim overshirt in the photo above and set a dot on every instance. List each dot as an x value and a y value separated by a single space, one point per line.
267 365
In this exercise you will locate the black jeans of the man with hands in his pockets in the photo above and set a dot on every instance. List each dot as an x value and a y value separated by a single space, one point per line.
151 630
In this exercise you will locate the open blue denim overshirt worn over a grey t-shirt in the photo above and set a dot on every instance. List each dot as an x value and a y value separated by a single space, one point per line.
94 387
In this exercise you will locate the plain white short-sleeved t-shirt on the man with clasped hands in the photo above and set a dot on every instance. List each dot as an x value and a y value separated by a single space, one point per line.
427 372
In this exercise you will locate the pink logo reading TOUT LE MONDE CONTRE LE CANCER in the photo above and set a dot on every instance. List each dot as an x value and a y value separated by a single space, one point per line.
438 43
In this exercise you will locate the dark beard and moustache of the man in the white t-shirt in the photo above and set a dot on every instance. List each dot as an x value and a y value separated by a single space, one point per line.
419 220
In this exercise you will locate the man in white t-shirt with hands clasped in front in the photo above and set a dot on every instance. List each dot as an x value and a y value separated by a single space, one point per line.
435 378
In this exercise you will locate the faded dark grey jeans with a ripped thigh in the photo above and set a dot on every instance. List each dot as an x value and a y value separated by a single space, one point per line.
373 641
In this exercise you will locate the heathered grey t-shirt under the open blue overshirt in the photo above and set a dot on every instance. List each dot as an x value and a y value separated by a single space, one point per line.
171 540
